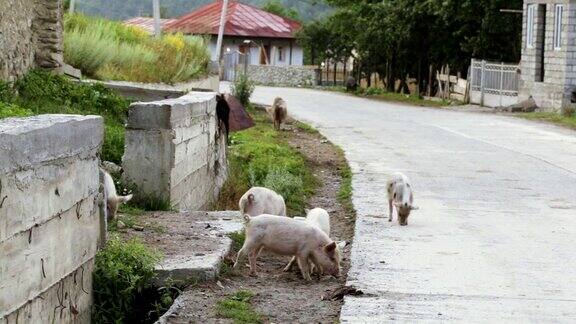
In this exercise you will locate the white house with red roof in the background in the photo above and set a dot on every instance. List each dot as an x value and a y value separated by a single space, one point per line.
266 38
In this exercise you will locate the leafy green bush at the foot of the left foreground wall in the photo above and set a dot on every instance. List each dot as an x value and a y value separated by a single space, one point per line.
122 270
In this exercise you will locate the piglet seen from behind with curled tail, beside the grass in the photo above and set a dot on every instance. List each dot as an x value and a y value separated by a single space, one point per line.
259 200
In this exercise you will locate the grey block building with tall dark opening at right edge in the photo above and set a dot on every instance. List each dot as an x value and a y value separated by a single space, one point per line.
548 64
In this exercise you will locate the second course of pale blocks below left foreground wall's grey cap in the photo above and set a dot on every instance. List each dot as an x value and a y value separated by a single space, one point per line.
40 258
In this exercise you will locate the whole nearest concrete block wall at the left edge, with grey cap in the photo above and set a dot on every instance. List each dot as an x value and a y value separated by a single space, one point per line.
49 219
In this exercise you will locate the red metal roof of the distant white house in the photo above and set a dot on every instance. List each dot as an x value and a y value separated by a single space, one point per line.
241 20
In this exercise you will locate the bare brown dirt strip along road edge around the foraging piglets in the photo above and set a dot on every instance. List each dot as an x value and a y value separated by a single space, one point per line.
284 297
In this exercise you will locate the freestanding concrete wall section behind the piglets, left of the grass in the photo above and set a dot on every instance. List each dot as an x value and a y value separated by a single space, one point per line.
175 150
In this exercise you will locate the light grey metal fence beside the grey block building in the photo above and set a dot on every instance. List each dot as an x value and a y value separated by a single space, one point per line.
493 84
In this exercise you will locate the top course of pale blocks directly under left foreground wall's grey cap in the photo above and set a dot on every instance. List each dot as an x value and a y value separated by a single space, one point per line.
53 188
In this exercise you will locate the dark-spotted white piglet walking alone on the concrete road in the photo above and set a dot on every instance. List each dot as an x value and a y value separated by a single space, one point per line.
400 195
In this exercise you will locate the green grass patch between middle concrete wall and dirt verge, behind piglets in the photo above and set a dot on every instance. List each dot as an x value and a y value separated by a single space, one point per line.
260 156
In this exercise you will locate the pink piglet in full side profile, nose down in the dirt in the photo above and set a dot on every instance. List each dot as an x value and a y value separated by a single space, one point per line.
287 236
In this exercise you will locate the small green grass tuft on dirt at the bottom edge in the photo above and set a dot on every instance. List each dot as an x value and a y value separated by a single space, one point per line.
237 307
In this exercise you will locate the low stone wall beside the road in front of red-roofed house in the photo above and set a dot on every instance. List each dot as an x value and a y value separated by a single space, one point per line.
282 75
